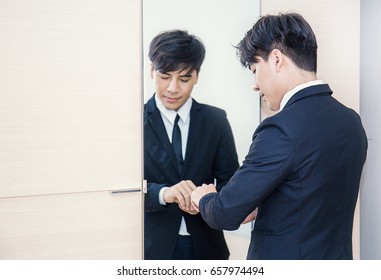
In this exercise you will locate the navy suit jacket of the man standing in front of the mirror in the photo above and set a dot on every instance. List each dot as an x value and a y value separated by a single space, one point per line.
302 172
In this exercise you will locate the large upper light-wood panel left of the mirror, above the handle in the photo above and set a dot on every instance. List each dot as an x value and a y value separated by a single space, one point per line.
70 95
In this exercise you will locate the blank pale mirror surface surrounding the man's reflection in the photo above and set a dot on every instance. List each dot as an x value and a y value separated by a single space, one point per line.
223 82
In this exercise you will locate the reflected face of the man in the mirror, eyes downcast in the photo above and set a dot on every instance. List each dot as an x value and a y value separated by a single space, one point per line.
174 87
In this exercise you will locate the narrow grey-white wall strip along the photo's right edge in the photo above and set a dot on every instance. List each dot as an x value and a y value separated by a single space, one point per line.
370 84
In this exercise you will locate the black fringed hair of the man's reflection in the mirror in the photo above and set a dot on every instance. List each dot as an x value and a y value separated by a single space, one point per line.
176 50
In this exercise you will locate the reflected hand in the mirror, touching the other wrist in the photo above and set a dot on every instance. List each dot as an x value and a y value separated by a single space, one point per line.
181 194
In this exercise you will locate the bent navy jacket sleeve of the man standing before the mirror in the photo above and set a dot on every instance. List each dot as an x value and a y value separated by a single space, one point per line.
270 159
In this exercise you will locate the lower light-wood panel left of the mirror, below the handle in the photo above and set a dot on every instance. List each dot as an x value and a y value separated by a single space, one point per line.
95 225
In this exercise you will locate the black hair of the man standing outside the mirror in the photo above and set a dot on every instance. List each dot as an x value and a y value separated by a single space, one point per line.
289 32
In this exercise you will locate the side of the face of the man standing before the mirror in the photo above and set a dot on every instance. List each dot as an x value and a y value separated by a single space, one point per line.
266 84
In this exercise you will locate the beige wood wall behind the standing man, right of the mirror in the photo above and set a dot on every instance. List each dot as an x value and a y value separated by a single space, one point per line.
337 27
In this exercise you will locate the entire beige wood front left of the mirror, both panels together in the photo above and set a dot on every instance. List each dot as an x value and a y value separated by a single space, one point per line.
70 129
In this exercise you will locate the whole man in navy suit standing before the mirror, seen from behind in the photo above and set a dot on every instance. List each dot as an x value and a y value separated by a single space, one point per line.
303 169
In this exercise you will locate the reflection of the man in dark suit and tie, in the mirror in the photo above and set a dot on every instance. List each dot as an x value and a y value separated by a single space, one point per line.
185 144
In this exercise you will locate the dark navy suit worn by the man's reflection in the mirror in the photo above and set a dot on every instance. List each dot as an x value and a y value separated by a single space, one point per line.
210 154
